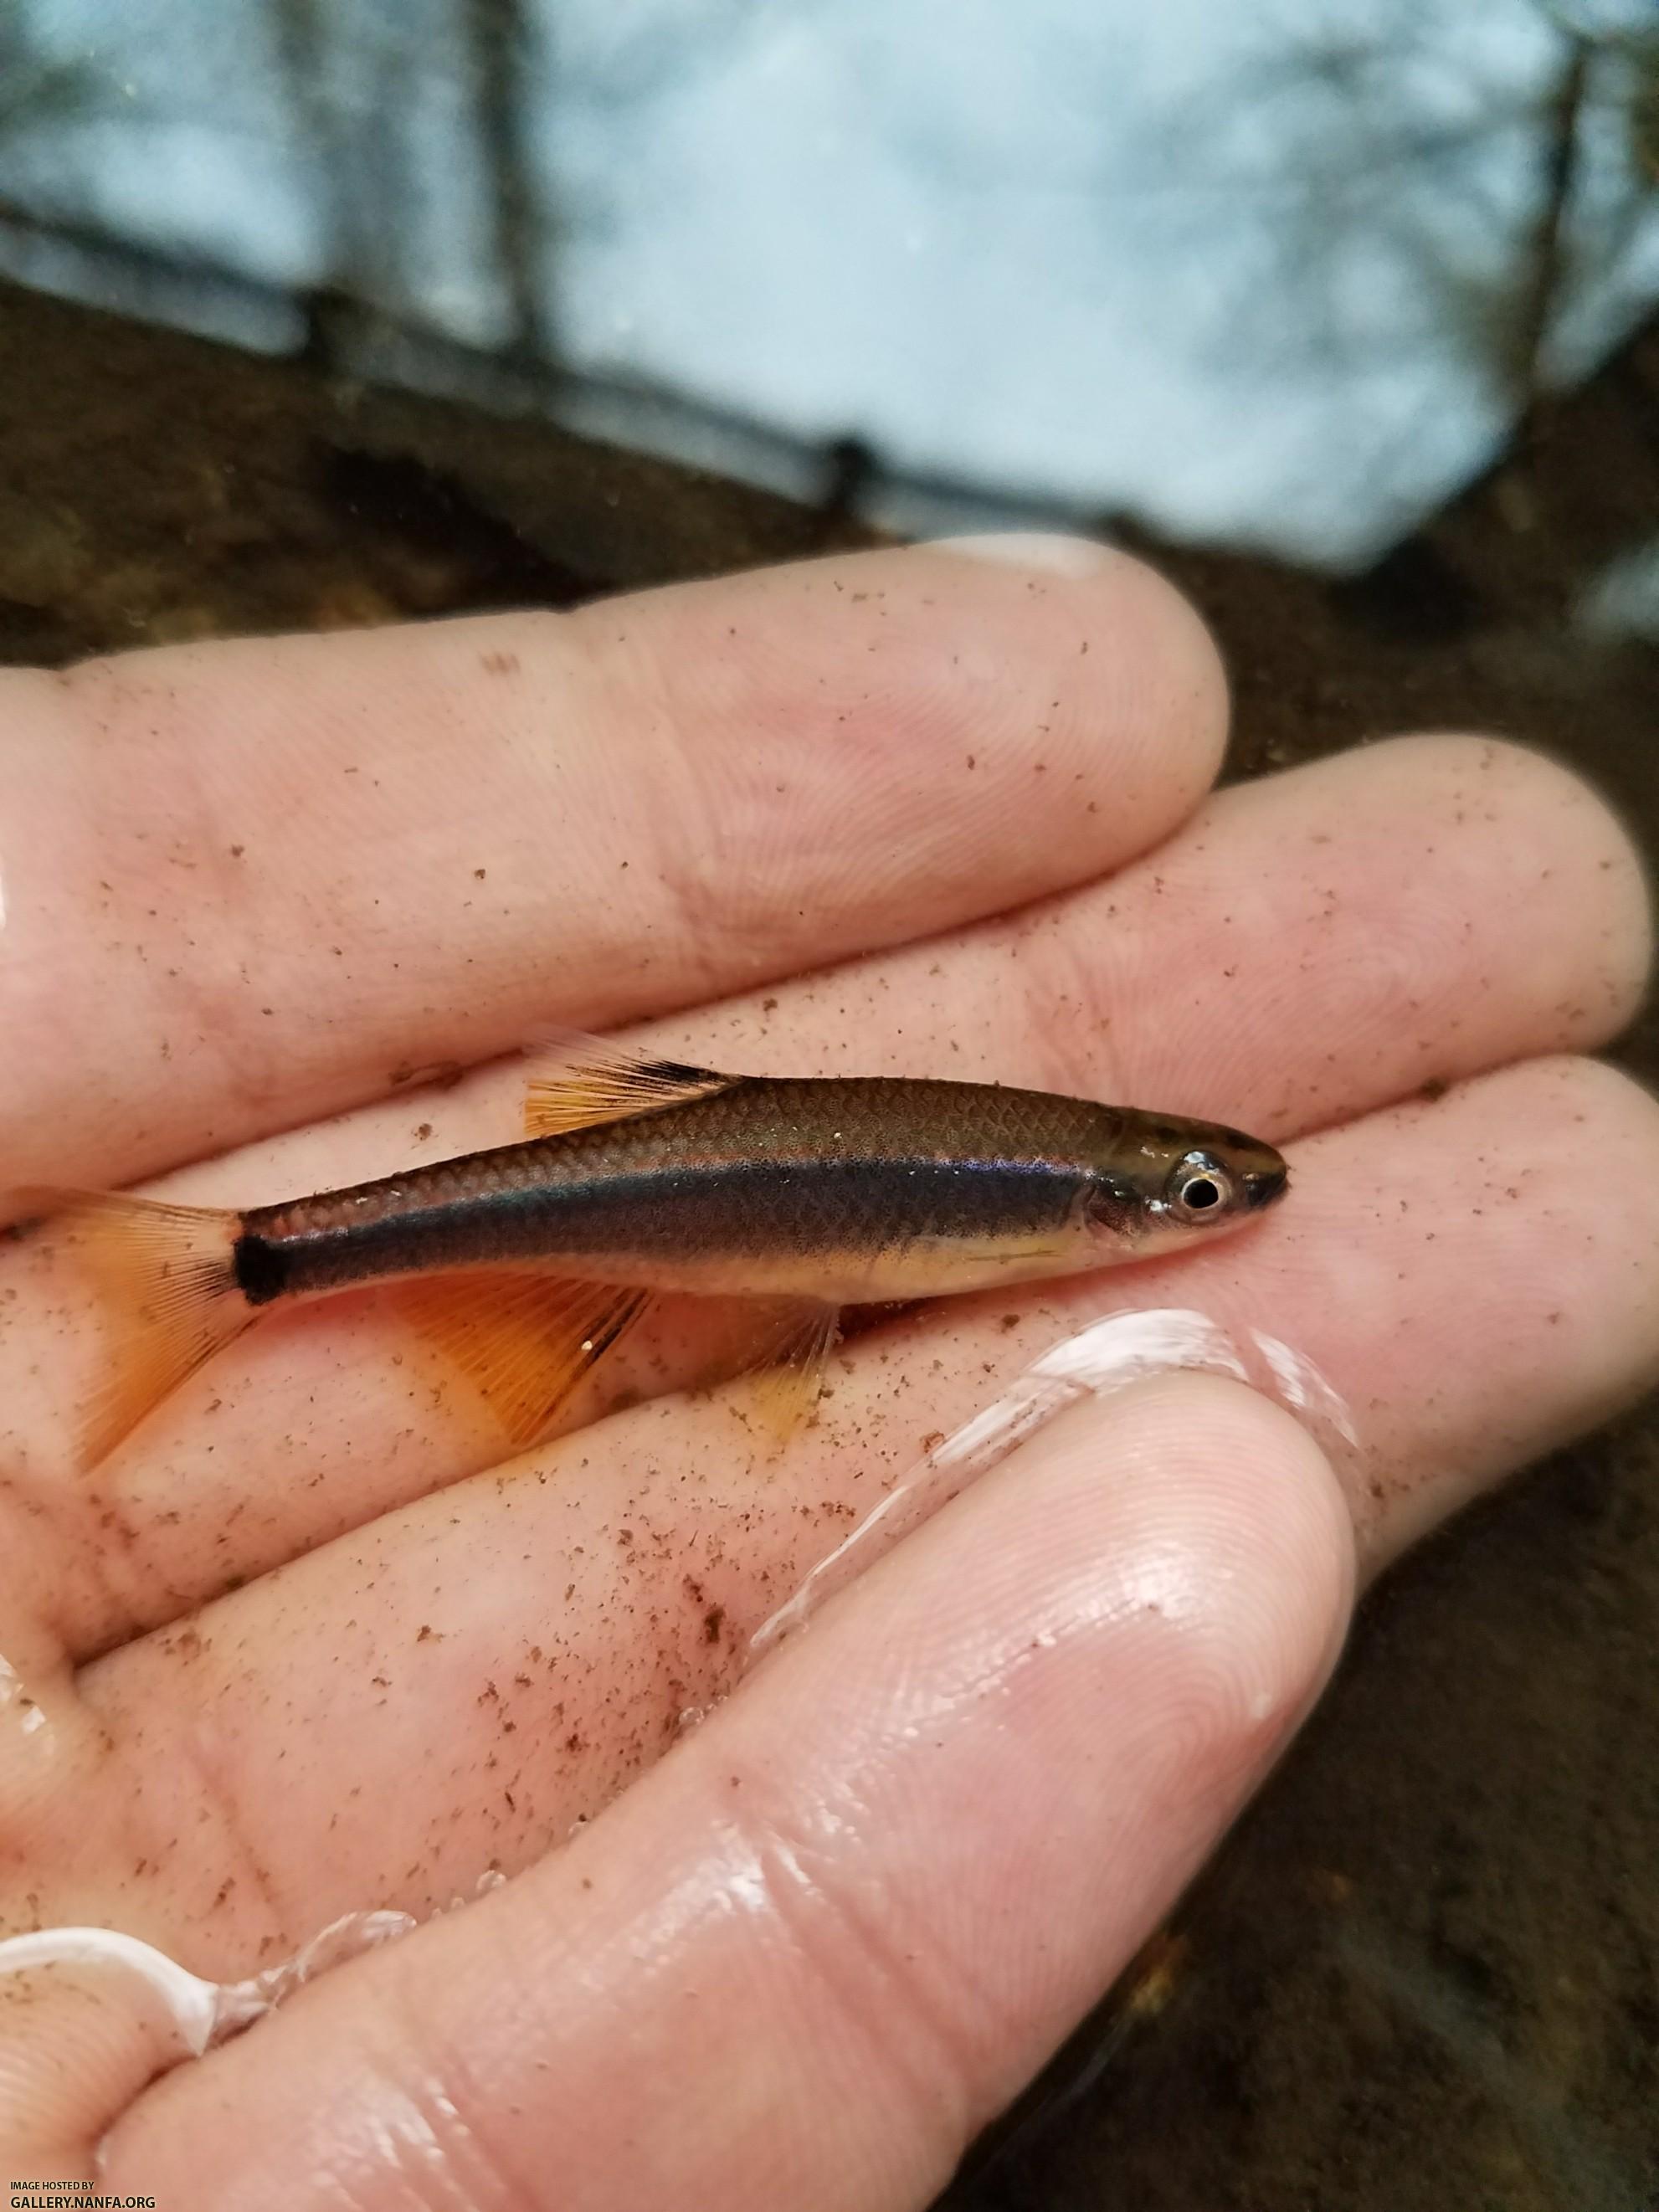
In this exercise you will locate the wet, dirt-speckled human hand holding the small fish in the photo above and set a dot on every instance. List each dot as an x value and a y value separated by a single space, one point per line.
300 1649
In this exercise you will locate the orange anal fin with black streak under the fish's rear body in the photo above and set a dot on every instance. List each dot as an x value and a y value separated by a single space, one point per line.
521 1342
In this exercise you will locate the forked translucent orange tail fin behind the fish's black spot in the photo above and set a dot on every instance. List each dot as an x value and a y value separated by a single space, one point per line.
167 1282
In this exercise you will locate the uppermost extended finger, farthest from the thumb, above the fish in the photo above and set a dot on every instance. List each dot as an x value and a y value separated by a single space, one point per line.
253 884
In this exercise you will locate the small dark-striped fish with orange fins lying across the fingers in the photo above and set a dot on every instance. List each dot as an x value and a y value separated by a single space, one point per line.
797 1196
